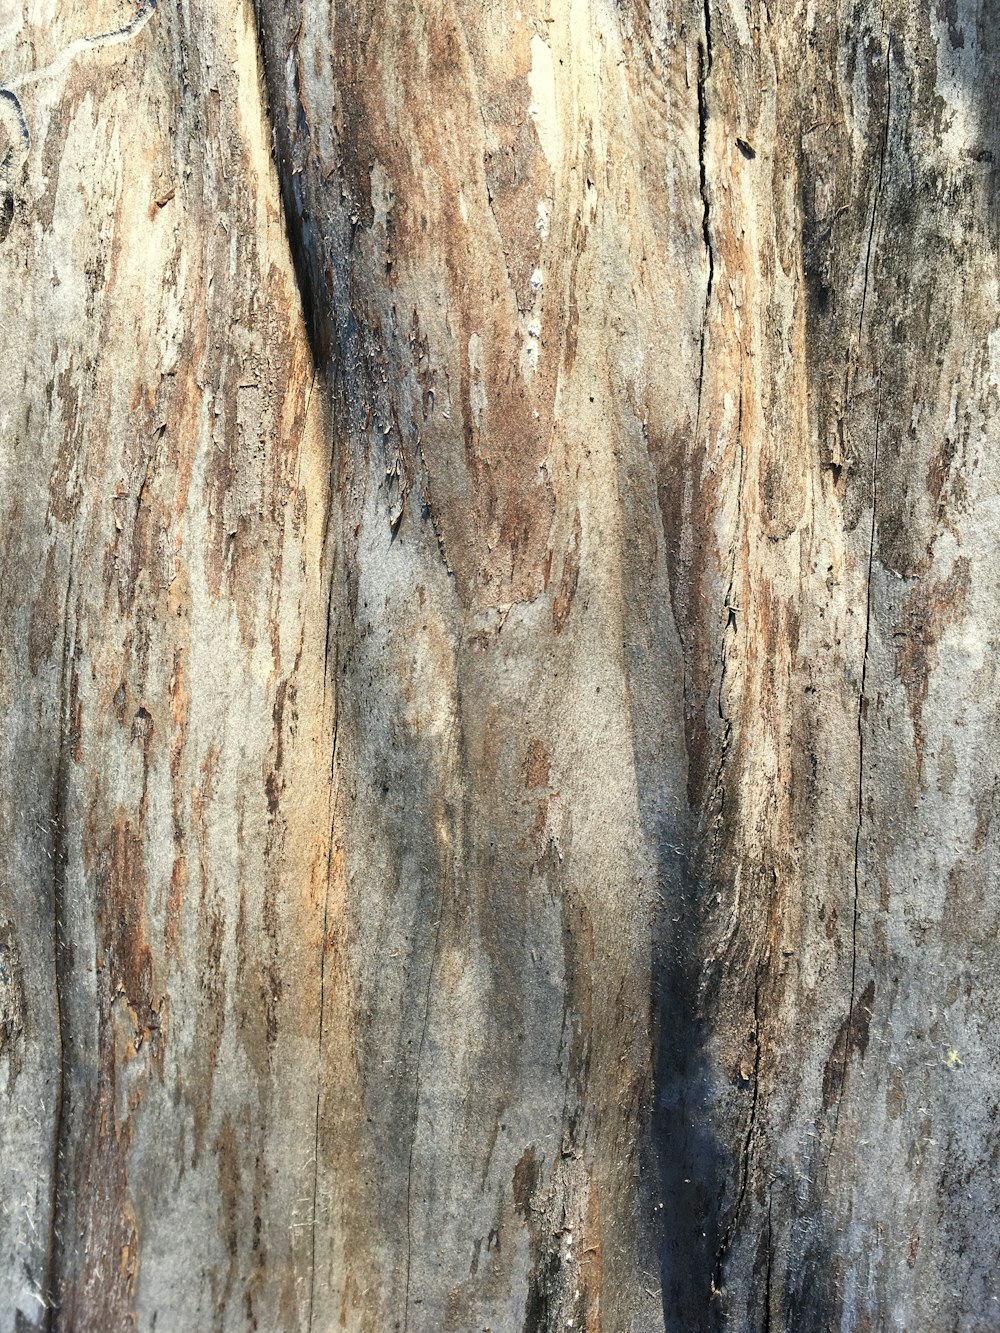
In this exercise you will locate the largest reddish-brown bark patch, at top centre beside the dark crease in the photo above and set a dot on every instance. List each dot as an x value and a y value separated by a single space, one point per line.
486 422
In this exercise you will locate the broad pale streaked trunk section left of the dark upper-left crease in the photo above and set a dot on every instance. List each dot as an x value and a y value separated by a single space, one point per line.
165 802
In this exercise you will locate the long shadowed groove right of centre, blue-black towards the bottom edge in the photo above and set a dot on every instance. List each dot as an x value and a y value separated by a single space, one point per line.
687 1167
